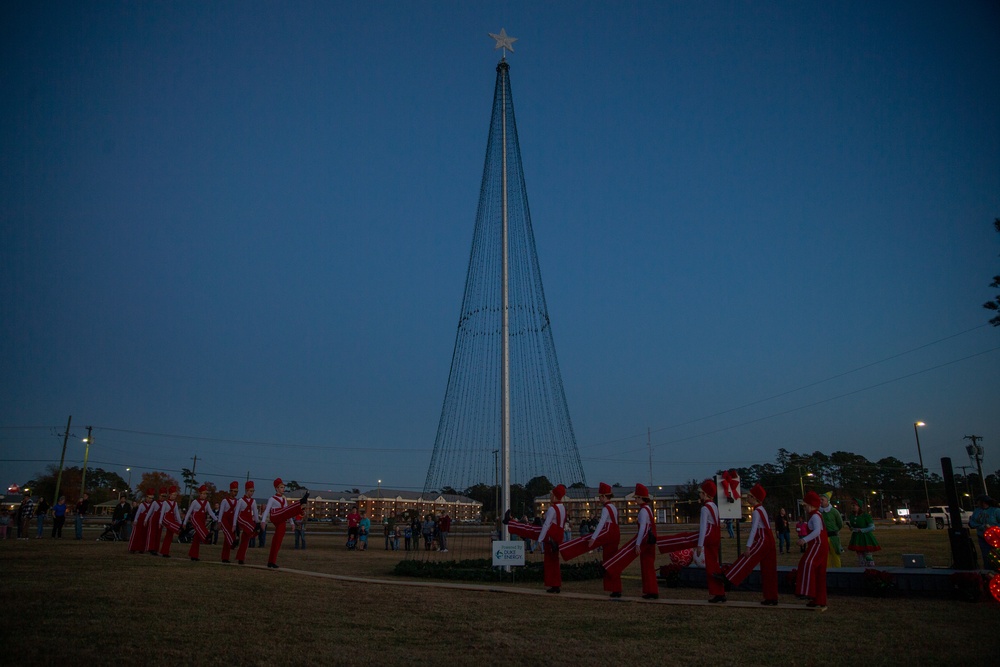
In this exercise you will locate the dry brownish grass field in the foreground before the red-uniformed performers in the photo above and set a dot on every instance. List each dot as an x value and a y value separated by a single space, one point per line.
91 602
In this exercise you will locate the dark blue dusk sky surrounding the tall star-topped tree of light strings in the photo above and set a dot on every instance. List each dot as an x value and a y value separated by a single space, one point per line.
251 222
